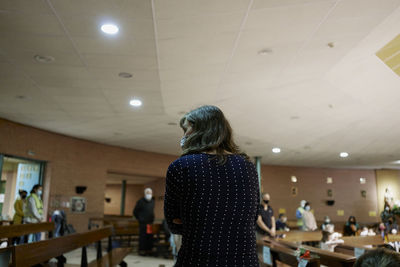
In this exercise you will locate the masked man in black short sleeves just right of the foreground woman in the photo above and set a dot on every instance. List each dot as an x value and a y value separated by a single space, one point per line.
266 219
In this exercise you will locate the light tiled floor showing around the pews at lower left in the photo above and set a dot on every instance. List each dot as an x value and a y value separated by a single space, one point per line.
133 260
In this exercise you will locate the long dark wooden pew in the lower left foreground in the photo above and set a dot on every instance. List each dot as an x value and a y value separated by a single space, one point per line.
42 251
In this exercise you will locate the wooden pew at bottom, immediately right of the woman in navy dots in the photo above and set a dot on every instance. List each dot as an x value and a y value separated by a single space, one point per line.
281 254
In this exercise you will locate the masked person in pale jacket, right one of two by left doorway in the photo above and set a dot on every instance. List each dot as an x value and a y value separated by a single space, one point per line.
34 210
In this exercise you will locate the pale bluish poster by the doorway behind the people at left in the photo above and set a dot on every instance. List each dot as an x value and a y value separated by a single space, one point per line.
27 177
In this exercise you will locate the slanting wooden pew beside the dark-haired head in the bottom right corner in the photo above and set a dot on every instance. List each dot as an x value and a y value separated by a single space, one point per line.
331 259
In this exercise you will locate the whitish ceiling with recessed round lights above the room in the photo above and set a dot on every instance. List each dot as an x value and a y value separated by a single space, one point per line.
309 99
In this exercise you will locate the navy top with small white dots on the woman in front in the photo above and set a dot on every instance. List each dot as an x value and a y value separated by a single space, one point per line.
218 207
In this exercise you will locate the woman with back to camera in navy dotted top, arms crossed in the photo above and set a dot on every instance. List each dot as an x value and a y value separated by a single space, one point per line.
212 195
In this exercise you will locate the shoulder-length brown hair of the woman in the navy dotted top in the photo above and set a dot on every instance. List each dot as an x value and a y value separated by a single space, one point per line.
211 131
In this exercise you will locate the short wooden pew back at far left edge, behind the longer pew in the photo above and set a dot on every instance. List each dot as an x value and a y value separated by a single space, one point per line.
18 230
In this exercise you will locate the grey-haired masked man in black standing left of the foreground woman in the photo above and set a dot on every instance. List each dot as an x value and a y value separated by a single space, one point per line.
144 213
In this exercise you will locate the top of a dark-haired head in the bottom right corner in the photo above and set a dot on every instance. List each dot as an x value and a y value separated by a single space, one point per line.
381 257
